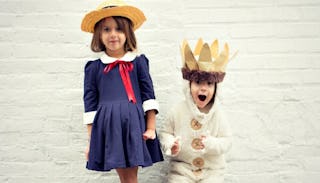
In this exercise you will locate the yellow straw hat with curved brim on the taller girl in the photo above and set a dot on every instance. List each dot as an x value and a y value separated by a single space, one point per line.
112 8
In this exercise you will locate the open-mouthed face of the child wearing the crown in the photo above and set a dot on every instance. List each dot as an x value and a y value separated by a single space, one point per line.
202 93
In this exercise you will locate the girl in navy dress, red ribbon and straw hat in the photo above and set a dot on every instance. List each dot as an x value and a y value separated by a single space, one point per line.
119 100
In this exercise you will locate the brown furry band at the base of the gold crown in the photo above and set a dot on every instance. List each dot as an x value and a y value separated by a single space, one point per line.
196 75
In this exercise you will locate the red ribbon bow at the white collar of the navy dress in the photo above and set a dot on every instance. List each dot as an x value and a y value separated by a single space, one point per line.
124 69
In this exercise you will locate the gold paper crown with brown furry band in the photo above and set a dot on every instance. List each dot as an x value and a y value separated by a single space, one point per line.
211 64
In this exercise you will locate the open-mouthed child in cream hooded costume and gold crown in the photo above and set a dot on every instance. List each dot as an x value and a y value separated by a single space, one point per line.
195 134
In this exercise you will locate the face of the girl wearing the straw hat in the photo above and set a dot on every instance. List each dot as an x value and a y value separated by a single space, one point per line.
113 38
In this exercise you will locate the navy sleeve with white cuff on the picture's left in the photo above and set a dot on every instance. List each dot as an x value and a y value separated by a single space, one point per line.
90 96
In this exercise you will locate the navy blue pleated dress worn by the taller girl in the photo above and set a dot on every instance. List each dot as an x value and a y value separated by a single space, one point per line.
116 136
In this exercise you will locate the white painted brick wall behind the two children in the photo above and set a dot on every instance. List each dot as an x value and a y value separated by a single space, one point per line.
271 91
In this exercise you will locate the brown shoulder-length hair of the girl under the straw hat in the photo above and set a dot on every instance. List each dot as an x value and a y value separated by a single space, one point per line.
125 25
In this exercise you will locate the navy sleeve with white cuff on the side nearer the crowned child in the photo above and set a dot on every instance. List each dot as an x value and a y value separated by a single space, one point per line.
146 85
